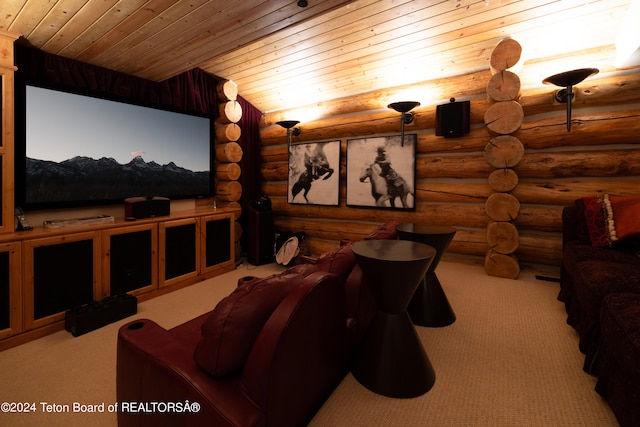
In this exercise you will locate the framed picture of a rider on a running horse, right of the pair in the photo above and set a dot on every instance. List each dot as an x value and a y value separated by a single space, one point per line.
389 160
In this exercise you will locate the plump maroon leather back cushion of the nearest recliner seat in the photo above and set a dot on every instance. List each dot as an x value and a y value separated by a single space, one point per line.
232 327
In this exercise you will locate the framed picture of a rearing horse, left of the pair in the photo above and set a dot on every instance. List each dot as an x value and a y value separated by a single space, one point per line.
314 173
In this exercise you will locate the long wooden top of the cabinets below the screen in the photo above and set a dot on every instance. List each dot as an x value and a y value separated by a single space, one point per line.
41 231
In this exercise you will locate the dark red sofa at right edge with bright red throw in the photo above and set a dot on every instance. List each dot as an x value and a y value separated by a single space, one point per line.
600 286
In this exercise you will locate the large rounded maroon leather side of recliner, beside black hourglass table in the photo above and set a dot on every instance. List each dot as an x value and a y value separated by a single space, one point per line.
300 355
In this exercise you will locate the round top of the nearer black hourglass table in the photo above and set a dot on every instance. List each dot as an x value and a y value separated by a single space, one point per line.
393 250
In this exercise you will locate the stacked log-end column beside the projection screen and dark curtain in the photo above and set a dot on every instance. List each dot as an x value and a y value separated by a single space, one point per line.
228 152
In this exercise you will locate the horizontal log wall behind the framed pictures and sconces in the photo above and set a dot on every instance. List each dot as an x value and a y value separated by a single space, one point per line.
601 154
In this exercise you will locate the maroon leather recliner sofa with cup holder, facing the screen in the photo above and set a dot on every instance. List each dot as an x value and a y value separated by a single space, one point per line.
269 354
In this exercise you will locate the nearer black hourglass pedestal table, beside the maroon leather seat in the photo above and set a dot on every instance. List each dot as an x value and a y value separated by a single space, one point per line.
391 360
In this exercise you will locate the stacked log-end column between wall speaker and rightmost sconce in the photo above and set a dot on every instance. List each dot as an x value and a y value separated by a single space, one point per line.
503 152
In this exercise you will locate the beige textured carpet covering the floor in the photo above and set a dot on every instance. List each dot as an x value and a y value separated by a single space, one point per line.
510 359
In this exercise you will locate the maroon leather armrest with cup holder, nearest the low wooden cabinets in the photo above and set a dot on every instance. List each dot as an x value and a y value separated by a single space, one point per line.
155 366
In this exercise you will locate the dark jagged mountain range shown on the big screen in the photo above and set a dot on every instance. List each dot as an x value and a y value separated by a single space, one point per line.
86 179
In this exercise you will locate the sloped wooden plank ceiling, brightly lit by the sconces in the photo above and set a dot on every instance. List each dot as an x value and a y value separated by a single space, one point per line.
282 55
